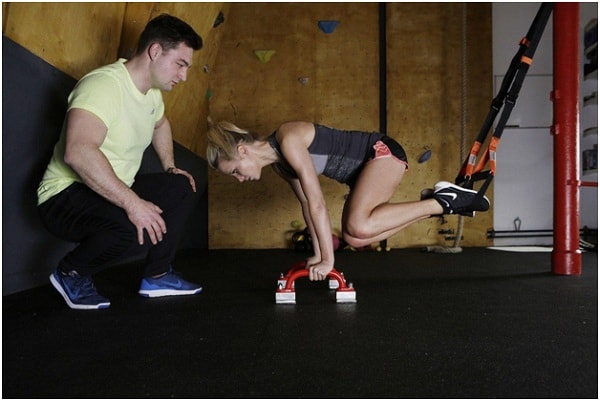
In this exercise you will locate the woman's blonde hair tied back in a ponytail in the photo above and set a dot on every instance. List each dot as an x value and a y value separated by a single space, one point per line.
223 139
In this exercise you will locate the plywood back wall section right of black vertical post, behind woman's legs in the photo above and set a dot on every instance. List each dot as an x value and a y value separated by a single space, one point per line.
424 43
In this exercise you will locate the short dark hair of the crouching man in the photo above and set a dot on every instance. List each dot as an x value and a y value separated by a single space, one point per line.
169 32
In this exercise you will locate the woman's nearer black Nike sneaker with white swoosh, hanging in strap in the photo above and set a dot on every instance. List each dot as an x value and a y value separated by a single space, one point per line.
458 200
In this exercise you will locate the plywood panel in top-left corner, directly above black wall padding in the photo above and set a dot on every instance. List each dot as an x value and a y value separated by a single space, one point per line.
74 37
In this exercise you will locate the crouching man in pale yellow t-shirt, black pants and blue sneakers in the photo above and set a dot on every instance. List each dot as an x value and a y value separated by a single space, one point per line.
90 193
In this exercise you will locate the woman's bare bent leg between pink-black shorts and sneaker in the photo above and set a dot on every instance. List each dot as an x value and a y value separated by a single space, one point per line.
369 216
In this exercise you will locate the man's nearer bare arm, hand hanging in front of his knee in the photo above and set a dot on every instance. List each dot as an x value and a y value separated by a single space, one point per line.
85 134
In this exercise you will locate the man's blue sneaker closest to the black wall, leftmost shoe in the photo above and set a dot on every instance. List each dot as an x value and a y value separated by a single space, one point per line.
79 292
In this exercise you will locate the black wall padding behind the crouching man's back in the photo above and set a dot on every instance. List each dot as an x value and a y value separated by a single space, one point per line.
34 100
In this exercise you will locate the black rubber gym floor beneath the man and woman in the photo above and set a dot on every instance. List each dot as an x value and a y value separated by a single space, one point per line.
479 324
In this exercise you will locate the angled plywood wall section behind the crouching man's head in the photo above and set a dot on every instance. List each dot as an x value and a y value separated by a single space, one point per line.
78 37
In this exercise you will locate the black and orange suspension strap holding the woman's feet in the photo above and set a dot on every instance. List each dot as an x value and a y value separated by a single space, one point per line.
507 97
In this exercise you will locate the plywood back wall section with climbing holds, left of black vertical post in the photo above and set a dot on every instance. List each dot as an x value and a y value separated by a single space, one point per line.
341 91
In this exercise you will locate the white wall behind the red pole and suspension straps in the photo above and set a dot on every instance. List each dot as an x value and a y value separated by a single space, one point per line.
523 186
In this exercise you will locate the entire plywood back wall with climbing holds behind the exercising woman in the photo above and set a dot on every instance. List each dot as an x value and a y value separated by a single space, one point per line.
424 43
